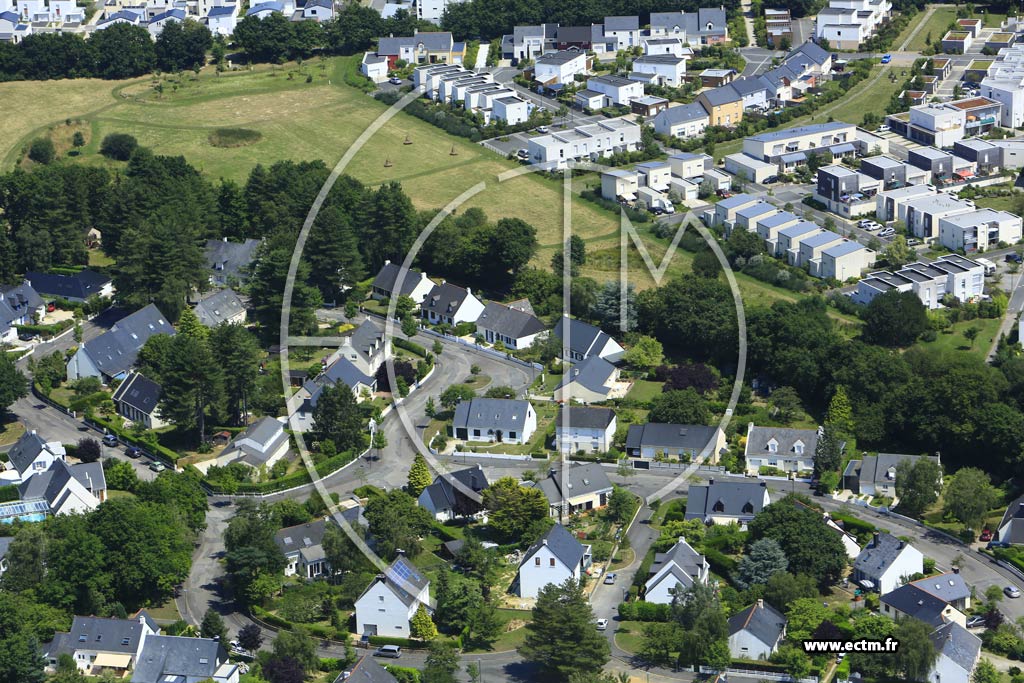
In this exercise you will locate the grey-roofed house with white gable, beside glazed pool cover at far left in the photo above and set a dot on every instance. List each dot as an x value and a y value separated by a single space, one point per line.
65 490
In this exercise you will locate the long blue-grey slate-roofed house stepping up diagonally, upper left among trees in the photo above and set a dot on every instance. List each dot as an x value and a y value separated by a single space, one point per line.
113 354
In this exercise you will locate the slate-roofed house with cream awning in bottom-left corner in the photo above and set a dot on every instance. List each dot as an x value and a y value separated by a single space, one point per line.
102 646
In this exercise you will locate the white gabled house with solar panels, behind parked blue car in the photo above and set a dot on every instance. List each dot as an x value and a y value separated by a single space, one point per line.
392 601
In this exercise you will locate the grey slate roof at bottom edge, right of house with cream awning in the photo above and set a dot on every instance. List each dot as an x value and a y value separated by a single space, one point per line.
174 659
